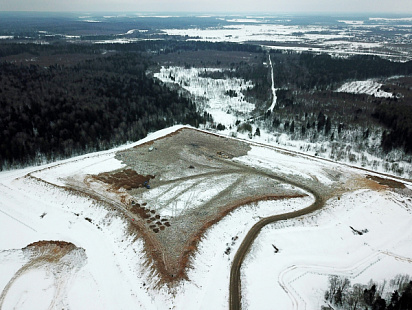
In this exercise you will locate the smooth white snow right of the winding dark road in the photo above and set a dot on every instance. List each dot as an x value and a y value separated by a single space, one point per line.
312 248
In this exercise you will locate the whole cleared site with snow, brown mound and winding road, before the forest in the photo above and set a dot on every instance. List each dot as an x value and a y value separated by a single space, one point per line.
173 245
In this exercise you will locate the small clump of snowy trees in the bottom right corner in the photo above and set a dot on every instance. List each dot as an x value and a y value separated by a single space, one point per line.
369 297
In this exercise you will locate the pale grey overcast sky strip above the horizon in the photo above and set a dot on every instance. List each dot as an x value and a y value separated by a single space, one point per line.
269 6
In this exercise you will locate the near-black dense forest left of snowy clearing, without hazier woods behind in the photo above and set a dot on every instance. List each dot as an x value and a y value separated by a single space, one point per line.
59 111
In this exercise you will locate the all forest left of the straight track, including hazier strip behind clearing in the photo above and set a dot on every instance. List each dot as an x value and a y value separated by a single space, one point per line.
76 98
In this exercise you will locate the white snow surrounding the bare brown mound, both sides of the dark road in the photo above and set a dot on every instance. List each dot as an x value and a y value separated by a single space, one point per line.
109 271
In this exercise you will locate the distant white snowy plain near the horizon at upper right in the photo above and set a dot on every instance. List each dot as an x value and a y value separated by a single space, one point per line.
387 38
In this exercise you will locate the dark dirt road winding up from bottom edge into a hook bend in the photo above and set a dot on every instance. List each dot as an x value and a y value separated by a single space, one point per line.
235 290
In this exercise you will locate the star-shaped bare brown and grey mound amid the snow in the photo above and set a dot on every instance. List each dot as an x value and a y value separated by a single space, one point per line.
193 183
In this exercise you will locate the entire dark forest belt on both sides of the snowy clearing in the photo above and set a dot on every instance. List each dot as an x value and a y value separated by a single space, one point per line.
74 98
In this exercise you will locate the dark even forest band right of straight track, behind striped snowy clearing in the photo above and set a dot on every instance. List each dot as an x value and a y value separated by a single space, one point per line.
308 71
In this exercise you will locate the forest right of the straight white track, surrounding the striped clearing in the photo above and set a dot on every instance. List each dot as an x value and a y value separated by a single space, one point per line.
307 101
